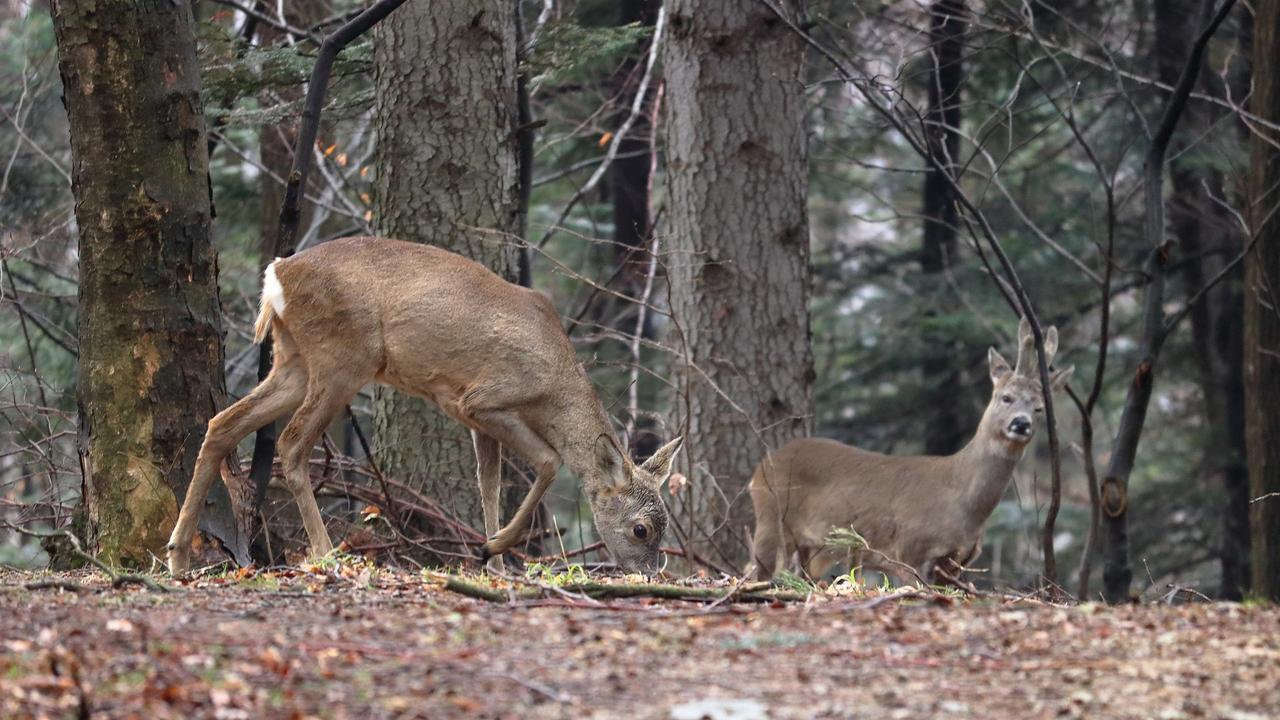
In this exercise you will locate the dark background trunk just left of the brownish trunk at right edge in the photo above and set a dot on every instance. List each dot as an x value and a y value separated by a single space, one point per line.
1209 238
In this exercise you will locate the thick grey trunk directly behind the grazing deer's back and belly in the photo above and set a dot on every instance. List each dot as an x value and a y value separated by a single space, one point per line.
447 175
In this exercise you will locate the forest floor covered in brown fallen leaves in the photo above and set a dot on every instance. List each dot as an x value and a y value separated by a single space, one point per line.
350 642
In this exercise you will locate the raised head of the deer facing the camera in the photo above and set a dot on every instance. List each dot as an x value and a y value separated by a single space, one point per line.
1017 398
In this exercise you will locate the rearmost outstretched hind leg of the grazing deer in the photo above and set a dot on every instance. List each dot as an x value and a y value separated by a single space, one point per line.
277 397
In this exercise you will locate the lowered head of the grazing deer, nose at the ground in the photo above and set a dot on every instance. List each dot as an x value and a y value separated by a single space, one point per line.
630 516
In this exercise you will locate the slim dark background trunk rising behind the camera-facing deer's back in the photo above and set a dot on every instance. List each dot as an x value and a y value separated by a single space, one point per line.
947 431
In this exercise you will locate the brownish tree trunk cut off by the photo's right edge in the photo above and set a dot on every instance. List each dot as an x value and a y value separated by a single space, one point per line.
1263 313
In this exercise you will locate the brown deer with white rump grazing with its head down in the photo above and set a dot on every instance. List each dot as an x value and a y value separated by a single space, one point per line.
432 323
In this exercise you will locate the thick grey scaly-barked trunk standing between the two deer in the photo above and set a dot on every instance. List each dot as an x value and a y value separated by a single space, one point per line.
739 276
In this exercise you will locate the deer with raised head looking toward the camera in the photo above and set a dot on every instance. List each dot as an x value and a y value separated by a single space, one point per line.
912 512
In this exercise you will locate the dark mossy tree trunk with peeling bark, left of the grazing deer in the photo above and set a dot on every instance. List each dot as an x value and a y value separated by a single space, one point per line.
150 332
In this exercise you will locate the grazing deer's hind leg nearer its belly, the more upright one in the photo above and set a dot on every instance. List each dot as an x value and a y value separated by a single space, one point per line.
327 395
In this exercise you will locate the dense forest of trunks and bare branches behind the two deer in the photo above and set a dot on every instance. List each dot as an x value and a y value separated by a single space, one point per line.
929 144
